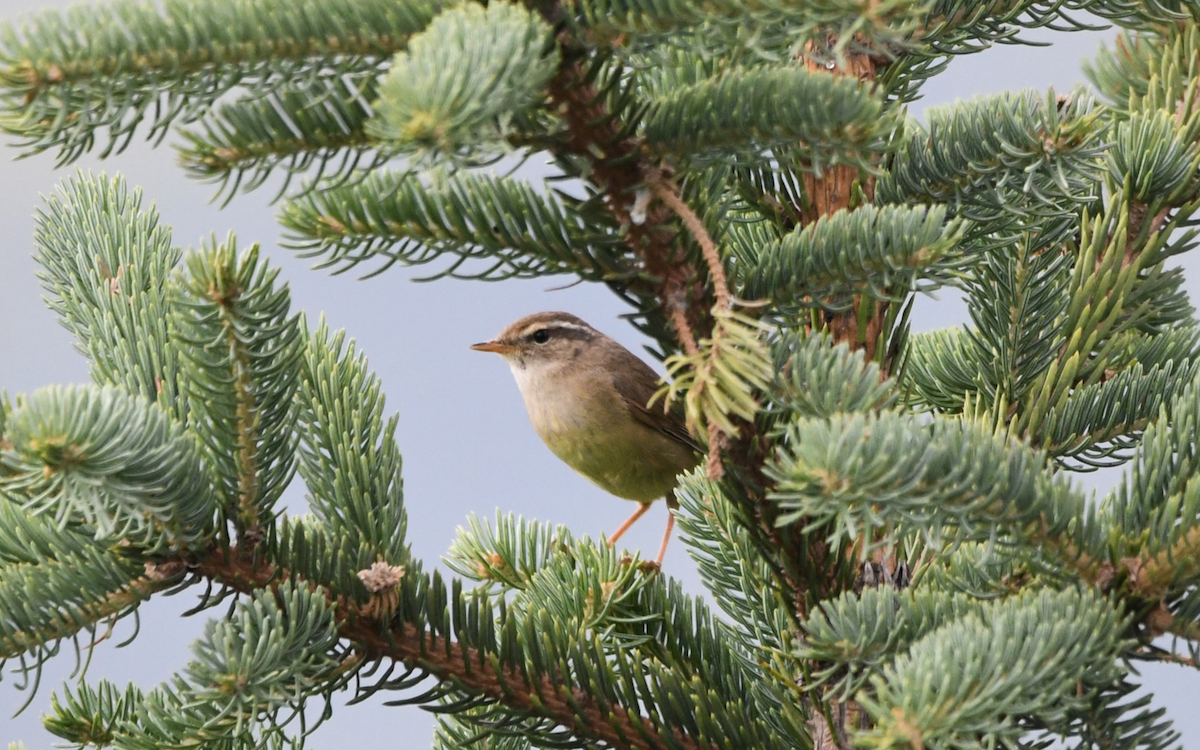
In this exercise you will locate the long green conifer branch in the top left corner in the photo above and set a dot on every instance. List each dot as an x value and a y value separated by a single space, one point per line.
173 62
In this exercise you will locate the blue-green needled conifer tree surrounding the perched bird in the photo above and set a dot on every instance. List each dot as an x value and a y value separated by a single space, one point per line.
895 548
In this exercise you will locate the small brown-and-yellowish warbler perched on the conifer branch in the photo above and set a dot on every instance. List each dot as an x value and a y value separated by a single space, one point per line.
589 397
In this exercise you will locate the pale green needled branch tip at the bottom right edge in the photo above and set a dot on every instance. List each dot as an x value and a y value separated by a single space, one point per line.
1010 652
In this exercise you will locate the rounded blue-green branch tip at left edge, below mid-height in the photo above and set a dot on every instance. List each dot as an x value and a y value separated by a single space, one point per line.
113 466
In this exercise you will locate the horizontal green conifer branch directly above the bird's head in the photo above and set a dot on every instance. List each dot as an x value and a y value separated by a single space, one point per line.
506 224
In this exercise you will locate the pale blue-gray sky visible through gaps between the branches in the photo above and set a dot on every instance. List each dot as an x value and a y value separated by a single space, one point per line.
467 443
